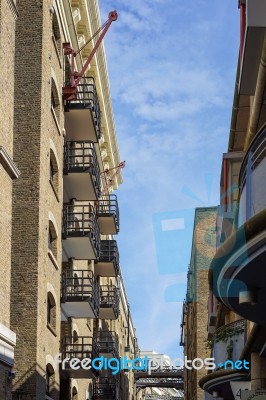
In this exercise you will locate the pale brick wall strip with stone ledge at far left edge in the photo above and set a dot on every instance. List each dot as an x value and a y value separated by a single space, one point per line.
9 172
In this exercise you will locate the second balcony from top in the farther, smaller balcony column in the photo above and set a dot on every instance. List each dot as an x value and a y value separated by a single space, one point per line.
108 262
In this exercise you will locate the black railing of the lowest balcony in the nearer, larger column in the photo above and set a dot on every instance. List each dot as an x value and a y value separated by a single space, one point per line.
79 347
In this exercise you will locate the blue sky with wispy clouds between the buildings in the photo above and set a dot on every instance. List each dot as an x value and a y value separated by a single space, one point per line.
172 66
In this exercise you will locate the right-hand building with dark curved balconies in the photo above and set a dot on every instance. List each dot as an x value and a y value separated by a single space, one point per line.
237 323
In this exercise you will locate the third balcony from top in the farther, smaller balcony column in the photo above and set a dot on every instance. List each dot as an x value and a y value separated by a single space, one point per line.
109 302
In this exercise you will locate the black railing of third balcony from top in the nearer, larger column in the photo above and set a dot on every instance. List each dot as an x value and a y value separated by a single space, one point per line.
80 220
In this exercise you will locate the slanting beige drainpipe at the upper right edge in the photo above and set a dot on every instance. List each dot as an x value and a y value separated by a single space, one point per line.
257 100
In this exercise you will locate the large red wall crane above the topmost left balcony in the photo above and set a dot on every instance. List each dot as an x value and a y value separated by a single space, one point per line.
70 91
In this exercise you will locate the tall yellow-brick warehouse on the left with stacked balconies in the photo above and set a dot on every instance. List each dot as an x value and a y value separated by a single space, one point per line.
61 285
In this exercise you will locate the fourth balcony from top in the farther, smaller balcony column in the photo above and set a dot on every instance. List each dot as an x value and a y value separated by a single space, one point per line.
107 344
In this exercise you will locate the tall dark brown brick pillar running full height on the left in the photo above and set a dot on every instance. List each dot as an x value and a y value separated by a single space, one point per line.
26 194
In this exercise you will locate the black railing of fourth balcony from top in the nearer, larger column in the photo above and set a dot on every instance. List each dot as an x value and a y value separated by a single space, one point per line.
80 285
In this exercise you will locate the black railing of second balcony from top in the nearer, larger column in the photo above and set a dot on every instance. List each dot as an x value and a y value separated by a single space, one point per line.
80 156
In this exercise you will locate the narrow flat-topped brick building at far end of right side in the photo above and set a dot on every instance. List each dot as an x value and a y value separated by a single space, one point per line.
195 315
